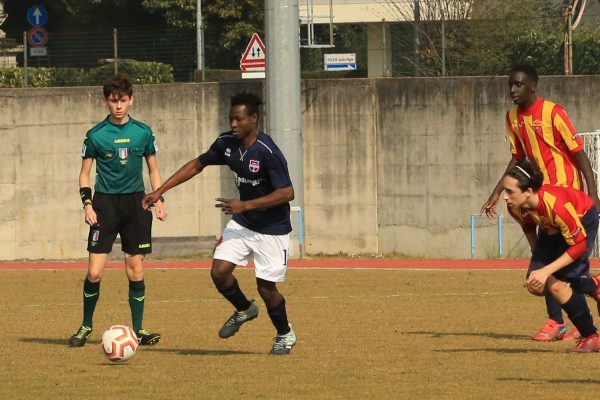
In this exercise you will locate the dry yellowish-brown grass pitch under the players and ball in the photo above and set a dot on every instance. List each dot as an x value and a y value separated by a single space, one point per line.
362 334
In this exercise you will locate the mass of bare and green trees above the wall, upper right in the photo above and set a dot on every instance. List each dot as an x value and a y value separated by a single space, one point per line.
474 37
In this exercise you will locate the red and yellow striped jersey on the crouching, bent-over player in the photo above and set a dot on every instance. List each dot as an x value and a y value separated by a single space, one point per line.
560 209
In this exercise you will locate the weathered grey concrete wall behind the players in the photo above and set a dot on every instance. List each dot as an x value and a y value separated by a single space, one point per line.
390 165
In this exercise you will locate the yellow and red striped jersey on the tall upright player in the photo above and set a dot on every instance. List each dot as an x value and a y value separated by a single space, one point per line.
543 133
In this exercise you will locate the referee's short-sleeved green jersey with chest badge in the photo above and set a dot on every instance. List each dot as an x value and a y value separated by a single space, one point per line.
119 151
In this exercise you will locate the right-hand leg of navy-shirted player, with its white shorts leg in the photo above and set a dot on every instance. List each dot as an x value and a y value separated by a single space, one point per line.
270 261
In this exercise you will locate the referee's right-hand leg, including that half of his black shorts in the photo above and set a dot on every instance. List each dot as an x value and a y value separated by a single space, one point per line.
136 239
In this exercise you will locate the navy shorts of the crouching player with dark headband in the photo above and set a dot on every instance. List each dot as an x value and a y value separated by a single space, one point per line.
550 247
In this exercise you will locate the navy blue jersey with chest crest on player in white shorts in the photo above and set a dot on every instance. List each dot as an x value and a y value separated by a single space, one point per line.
257 171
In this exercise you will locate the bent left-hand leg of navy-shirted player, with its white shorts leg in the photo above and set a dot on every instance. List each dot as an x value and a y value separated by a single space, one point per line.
231 250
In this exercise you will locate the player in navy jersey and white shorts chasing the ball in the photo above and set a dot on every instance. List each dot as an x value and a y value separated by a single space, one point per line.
260 225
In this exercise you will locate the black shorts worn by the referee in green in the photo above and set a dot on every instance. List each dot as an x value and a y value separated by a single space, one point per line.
121 214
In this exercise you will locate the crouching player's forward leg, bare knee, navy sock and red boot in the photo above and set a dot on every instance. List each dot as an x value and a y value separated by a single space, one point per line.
578 312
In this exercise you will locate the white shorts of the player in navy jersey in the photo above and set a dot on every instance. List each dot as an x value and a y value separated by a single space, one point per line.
270 252
